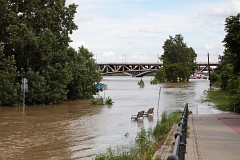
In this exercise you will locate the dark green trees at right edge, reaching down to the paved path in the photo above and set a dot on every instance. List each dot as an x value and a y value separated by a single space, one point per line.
228 71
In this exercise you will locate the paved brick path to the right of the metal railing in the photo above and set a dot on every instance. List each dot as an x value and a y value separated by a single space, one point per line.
214 137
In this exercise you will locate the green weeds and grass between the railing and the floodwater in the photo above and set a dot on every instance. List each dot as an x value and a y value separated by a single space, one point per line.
146 142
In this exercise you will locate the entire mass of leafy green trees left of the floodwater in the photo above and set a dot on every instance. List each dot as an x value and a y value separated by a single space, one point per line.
34 39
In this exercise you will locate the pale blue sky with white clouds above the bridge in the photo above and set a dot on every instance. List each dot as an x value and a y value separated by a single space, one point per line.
135 30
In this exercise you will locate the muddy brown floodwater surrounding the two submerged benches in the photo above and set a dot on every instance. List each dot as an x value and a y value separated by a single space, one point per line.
78 130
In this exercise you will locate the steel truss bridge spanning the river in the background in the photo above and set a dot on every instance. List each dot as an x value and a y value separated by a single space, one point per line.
139 69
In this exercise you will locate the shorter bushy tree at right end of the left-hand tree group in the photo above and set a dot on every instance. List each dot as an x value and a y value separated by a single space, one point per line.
85 75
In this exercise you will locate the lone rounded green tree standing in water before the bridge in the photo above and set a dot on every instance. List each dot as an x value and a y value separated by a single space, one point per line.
178 59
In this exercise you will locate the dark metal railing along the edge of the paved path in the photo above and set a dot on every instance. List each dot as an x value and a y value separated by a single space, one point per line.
179 149
